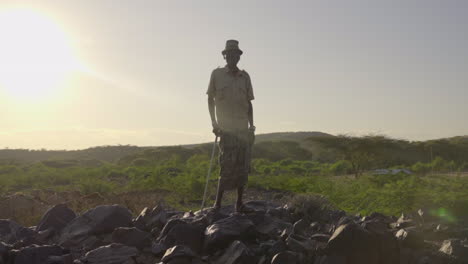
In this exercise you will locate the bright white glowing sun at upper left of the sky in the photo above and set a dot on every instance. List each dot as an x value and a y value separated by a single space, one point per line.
35 55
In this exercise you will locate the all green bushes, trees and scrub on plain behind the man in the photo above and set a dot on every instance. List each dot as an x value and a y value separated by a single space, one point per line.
337 168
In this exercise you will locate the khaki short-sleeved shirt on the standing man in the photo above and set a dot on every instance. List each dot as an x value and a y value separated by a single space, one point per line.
232 92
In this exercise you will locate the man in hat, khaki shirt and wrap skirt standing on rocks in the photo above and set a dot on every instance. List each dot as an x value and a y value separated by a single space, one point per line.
229 103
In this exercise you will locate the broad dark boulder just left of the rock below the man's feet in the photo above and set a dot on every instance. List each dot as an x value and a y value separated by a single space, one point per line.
179 232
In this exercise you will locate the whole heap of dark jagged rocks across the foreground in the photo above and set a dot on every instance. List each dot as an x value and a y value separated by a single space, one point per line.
303 231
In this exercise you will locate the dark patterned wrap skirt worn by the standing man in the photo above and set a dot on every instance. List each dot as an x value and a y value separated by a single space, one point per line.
235 150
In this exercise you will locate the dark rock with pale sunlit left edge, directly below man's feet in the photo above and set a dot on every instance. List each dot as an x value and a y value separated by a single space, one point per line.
222 233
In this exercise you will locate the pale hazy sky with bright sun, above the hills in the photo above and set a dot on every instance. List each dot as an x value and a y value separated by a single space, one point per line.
89 73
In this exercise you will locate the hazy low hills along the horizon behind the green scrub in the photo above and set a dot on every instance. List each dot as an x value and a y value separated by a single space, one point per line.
271 146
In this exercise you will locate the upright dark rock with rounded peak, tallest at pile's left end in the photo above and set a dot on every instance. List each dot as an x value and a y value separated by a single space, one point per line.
56 218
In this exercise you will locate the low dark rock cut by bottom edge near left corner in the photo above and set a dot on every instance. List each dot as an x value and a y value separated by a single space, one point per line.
38 254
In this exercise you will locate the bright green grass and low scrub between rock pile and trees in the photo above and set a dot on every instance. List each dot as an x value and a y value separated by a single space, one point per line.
445 196
